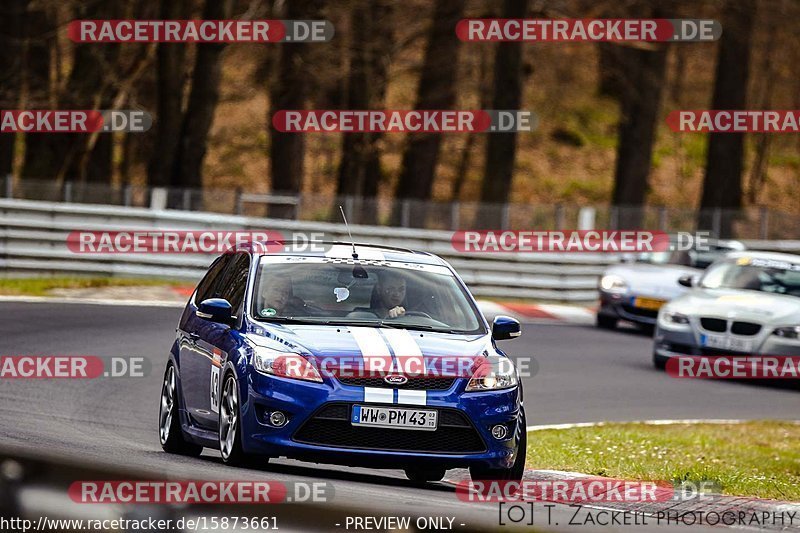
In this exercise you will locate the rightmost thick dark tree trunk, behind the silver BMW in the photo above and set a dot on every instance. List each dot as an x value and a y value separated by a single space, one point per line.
722 186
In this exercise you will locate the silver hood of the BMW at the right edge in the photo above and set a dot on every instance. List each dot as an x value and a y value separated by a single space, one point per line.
760 307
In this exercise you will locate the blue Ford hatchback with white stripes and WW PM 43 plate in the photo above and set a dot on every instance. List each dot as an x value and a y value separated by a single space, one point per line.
265 365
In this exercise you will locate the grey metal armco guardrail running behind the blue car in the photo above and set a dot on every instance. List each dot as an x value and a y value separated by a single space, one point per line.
33 241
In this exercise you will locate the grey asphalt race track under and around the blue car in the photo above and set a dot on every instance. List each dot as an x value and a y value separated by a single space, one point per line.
583 375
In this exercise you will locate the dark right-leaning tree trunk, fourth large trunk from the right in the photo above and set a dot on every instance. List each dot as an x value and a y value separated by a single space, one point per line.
436 90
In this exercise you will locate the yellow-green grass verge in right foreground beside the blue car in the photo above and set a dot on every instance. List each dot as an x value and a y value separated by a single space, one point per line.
758 459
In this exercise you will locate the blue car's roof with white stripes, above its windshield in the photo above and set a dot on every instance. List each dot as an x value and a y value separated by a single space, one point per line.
340 250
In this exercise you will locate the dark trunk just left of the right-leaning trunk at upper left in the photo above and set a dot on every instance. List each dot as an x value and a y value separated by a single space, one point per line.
169 109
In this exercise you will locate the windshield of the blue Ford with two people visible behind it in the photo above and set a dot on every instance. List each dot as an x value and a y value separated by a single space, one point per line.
404 295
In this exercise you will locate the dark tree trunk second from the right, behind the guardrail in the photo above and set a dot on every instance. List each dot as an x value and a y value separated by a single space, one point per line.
640 102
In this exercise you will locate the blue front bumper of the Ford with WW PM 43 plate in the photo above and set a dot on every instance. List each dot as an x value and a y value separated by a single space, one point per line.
319 426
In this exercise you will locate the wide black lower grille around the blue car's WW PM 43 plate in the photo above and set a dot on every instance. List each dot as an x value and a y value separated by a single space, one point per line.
330 426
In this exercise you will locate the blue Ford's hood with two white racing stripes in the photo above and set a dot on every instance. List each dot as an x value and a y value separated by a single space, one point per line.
354 341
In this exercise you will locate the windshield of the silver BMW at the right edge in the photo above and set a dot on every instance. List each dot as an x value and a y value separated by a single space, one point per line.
765 275
